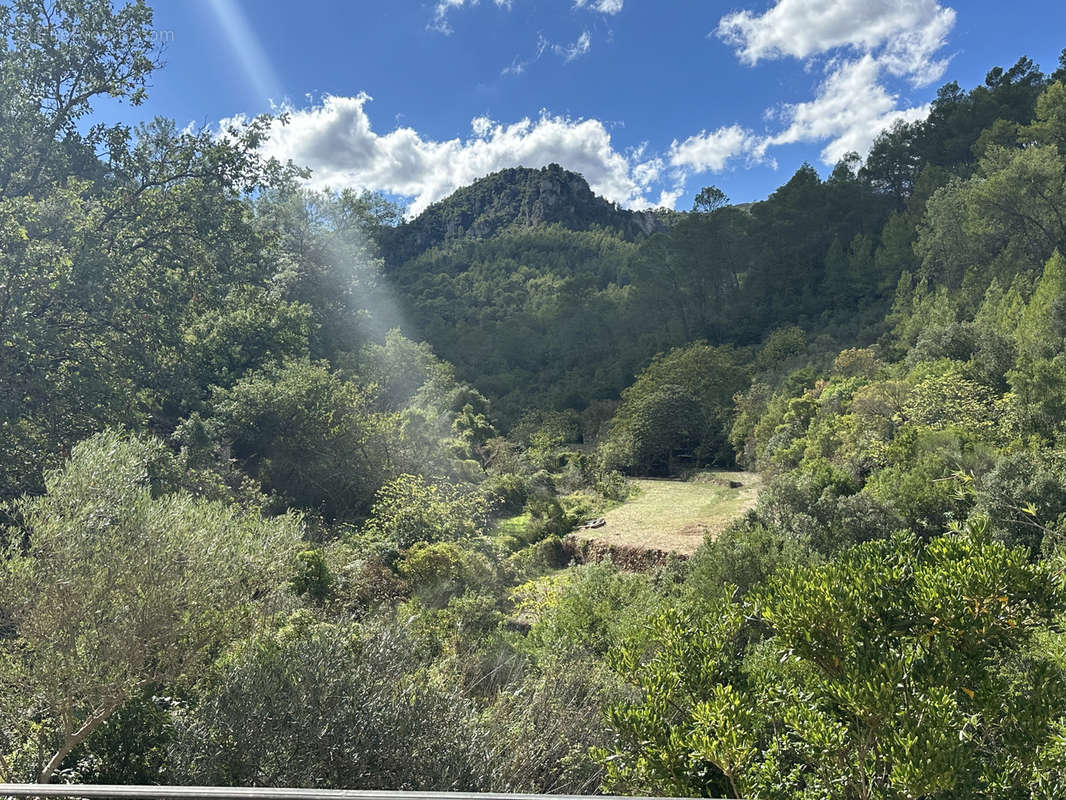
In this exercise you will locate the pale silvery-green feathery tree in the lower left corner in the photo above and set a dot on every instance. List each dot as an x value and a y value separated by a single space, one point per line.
111 587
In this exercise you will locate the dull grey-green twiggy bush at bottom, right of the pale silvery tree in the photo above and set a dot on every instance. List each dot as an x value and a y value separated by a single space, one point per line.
328 707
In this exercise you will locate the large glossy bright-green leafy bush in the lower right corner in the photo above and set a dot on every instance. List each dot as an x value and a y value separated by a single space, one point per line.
898 669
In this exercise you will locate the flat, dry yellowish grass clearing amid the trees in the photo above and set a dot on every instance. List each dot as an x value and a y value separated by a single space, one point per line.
675 516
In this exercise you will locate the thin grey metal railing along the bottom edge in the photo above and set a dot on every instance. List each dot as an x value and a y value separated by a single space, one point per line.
101 792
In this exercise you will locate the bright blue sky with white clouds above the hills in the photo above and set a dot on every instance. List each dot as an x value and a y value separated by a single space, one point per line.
650 100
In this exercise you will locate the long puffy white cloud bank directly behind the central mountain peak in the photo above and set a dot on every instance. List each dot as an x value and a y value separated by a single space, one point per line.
336 140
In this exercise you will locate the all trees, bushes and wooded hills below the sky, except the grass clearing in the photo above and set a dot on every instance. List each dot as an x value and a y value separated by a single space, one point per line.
284 479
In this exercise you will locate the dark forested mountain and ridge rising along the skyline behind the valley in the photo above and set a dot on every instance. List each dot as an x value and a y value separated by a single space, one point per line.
540 310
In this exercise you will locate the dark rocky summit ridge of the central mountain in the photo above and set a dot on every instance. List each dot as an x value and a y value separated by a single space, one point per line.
518 197
